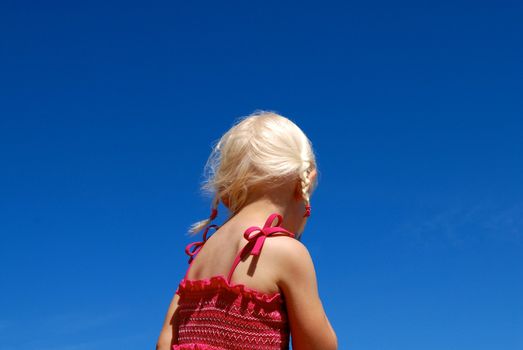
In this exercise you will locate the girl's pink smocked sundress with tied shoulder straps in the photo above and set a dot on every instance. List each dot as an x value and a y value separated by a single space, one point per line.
214 314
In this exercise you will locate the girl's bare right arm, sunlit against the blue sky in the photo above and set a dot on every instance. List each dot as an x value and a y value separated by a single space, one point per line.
310 327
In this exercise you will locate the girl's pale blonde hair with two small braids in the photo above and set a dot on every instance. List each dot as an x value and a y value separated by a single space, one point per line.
261 149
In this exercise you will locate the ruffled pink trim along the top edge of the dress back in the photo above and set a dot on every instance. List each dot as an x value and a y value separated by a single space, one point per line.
220 282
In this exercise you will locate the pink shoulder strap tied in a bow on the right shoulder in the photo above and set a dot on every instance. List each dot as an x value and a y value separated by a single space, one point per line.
256 237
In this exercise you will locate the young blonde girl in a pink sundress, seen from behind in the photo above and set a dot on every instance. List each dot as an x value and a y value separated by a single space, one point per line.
252 284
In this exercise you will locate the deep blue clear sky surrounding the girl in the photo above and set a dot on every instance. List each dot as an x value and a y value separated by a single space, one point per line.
108 111
